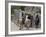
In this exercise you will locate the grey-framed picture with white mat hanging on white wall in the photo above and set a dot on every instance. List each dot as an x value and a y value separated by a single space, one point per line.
22 18
